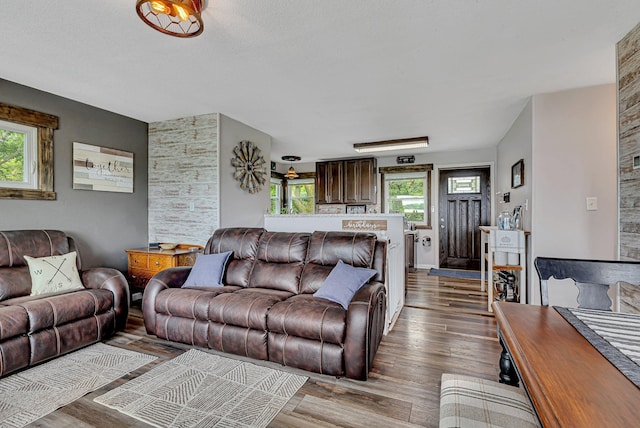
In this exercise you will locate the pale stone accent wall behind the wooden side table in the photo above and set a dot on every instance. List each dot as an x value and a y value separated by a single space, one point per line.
184 179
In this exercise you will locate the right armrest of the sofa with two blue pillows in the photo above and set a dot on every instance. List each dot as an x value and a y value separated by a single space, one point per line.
365 327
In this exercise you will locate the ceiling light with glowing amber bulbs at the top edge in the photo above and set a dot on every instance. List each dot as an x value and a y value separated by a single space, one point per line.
179 18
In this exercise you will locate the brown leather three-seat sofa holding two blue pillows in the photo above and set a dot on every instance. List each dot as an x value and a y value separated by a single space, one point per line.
266 308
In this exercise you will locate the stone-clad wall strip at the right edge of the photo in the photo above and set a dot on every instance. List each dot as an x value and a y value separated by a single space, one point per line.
628 51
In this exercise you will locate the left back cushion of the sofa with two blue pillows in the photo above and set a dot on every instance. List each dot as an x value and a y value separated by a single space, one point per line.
244 244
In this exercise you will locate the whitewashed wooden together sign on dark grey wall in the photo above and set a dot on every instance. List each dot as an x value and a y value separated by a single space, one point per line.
102 169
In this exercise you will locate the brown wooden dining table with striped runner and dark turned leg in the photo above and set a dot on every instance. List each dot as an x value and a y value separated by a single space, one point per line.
569 383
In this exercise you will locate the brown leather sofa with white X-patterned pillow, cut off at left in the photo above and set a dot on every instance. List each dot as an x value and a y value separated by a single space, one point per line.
34 329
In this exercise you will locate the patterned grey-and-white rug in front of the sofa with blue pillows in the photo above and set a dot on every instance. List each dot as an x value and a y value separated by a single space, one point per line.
205 390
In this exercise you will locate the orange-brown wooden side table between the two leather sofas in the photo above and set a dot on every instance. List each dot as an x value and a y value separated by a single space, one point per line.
144 263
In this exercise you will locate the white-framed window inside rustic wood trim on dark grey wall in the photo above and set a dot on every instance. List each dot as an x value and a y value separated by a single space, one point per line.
18 156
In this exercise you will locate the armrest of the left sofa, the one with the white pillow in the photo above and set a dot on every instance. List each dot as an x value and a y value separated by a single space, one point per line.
114 281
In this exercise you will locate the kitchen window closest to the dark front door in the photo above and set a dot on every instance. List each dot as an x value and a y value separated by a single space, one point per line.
406 193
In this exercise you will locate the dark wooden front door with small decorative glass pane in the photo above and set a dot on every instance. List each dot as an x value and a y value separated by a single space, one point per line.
465 205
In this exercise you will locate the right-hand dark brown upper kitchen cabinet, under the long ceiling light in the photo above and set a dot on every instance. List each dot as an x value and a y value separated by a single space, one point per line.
360 181
